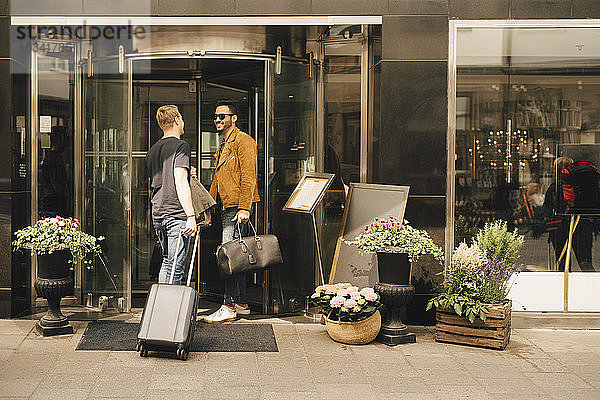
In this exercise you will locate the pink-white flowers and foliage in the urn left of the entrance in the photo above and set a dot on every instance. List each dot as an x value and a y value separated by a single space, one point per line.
57 233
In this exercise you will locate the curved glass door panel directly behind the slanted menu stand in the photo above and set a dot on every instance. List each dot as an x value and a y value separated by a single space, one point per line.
292 153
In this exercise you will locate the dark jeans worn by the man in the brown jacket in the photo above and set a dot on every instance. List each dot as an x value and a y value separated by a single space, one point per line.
235 285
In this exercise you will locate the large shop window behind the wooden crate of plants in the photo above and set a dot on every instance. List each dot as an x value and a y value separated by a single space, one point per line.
527 103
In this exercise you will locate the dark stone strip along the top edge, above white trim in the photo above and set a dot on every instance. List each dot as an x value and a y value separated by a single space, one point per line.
464 9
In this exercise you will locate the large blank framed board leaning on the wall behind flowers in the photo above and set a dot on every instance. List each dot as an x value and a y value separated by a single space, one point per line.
364 203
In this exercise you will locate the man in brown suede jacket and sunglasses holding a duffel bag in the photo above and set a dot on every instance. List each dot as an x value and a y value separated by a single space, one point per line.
235 189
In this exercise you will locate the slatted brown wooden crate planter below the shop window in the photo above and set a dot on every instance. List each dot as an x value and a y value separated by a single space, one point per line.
493 333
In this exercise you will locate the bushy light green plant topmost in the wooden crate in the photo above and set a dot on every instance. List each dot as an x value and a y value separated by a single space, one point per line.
498 243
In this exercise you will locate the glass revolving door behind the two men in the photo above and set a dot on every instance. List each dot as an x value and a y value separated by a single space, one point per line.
276 99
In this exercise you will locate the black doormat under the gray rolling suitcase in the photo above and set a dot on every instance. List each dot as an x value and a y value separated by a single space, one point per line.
122 336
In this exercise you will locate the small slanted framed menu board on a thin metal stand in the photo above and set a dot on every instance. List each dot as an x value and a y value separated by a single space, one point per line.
308 193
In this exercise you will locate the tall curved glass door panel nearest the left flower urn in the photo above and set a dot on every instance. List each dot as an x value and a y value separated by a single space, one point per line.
107 184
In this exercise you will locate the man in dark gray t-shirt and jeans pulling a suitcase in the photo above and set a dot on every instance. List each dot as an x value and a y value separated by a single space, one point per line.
168 164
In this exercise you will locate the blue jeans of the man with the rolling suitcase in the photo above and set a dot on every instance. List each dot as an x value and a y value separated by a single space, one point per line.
168 231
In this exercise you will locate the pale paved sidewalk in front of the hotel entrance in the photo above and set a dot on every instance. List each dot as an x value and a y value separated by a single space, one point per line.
537 364
